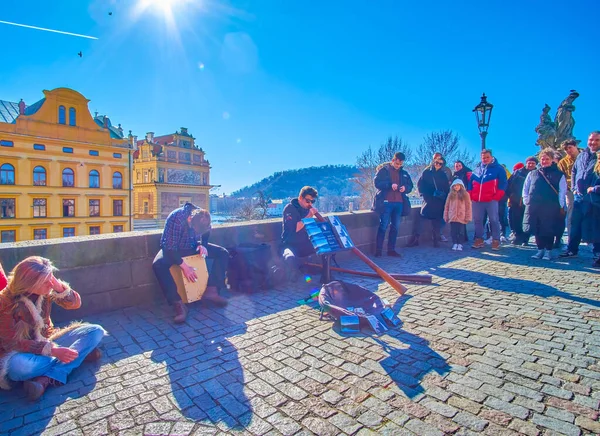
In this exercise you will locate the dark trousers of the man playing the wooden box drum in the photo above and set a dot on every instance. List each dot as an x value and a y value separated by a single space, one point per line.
216 275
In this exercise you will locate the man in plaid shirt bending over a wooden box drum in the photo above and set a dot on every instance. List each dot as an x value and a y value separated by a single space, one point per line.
186 232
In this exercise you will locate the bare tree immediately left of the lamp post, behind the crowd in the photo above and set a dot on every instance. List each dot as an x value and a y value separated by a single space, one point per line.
445 142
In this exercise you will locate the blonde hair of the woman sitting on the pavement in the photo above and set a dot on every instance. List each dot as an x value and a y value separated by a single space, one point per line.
29 274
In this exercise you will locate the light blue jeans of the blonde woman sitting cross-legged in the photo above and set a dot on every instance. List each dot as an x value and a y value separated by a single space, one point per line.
25 366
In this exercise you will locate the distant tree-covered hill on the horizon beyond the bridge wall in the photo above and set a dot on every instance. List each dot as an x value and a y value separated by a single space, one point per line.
328 179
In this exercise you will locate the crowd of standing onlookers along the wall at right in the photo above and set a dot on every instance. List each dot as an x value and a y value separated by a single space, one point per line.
541 197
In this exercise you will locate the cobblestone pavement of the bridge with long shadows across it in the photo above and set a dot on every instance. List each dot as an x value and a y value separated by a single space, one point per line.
499 344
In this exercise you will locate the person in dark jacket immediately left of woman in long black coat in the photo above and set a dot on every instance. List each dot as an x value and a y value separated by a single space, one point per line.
516 209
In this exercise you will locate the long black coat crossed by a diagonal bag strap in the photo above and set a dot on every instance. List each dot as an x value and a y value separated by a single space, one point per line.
542 214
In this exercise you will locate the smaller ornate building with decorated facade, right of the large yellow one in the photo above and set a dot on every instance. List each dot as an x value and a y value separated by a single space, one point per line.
168 171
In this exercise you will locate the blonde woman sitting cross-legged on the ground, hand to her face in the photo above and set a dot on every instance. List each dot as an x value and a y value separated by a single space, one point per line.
32 350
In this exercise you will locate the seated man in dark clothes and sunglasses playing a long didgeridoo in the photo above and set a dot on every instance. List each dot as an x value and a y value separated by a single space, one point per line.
294 239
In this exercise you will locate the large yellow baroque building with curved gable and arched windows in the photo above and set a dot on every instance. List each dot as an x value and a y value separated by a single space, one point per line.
62 172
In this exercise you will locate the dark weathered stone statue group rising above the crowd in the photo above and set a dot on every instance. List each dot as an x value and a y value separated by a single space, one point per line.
551 134
